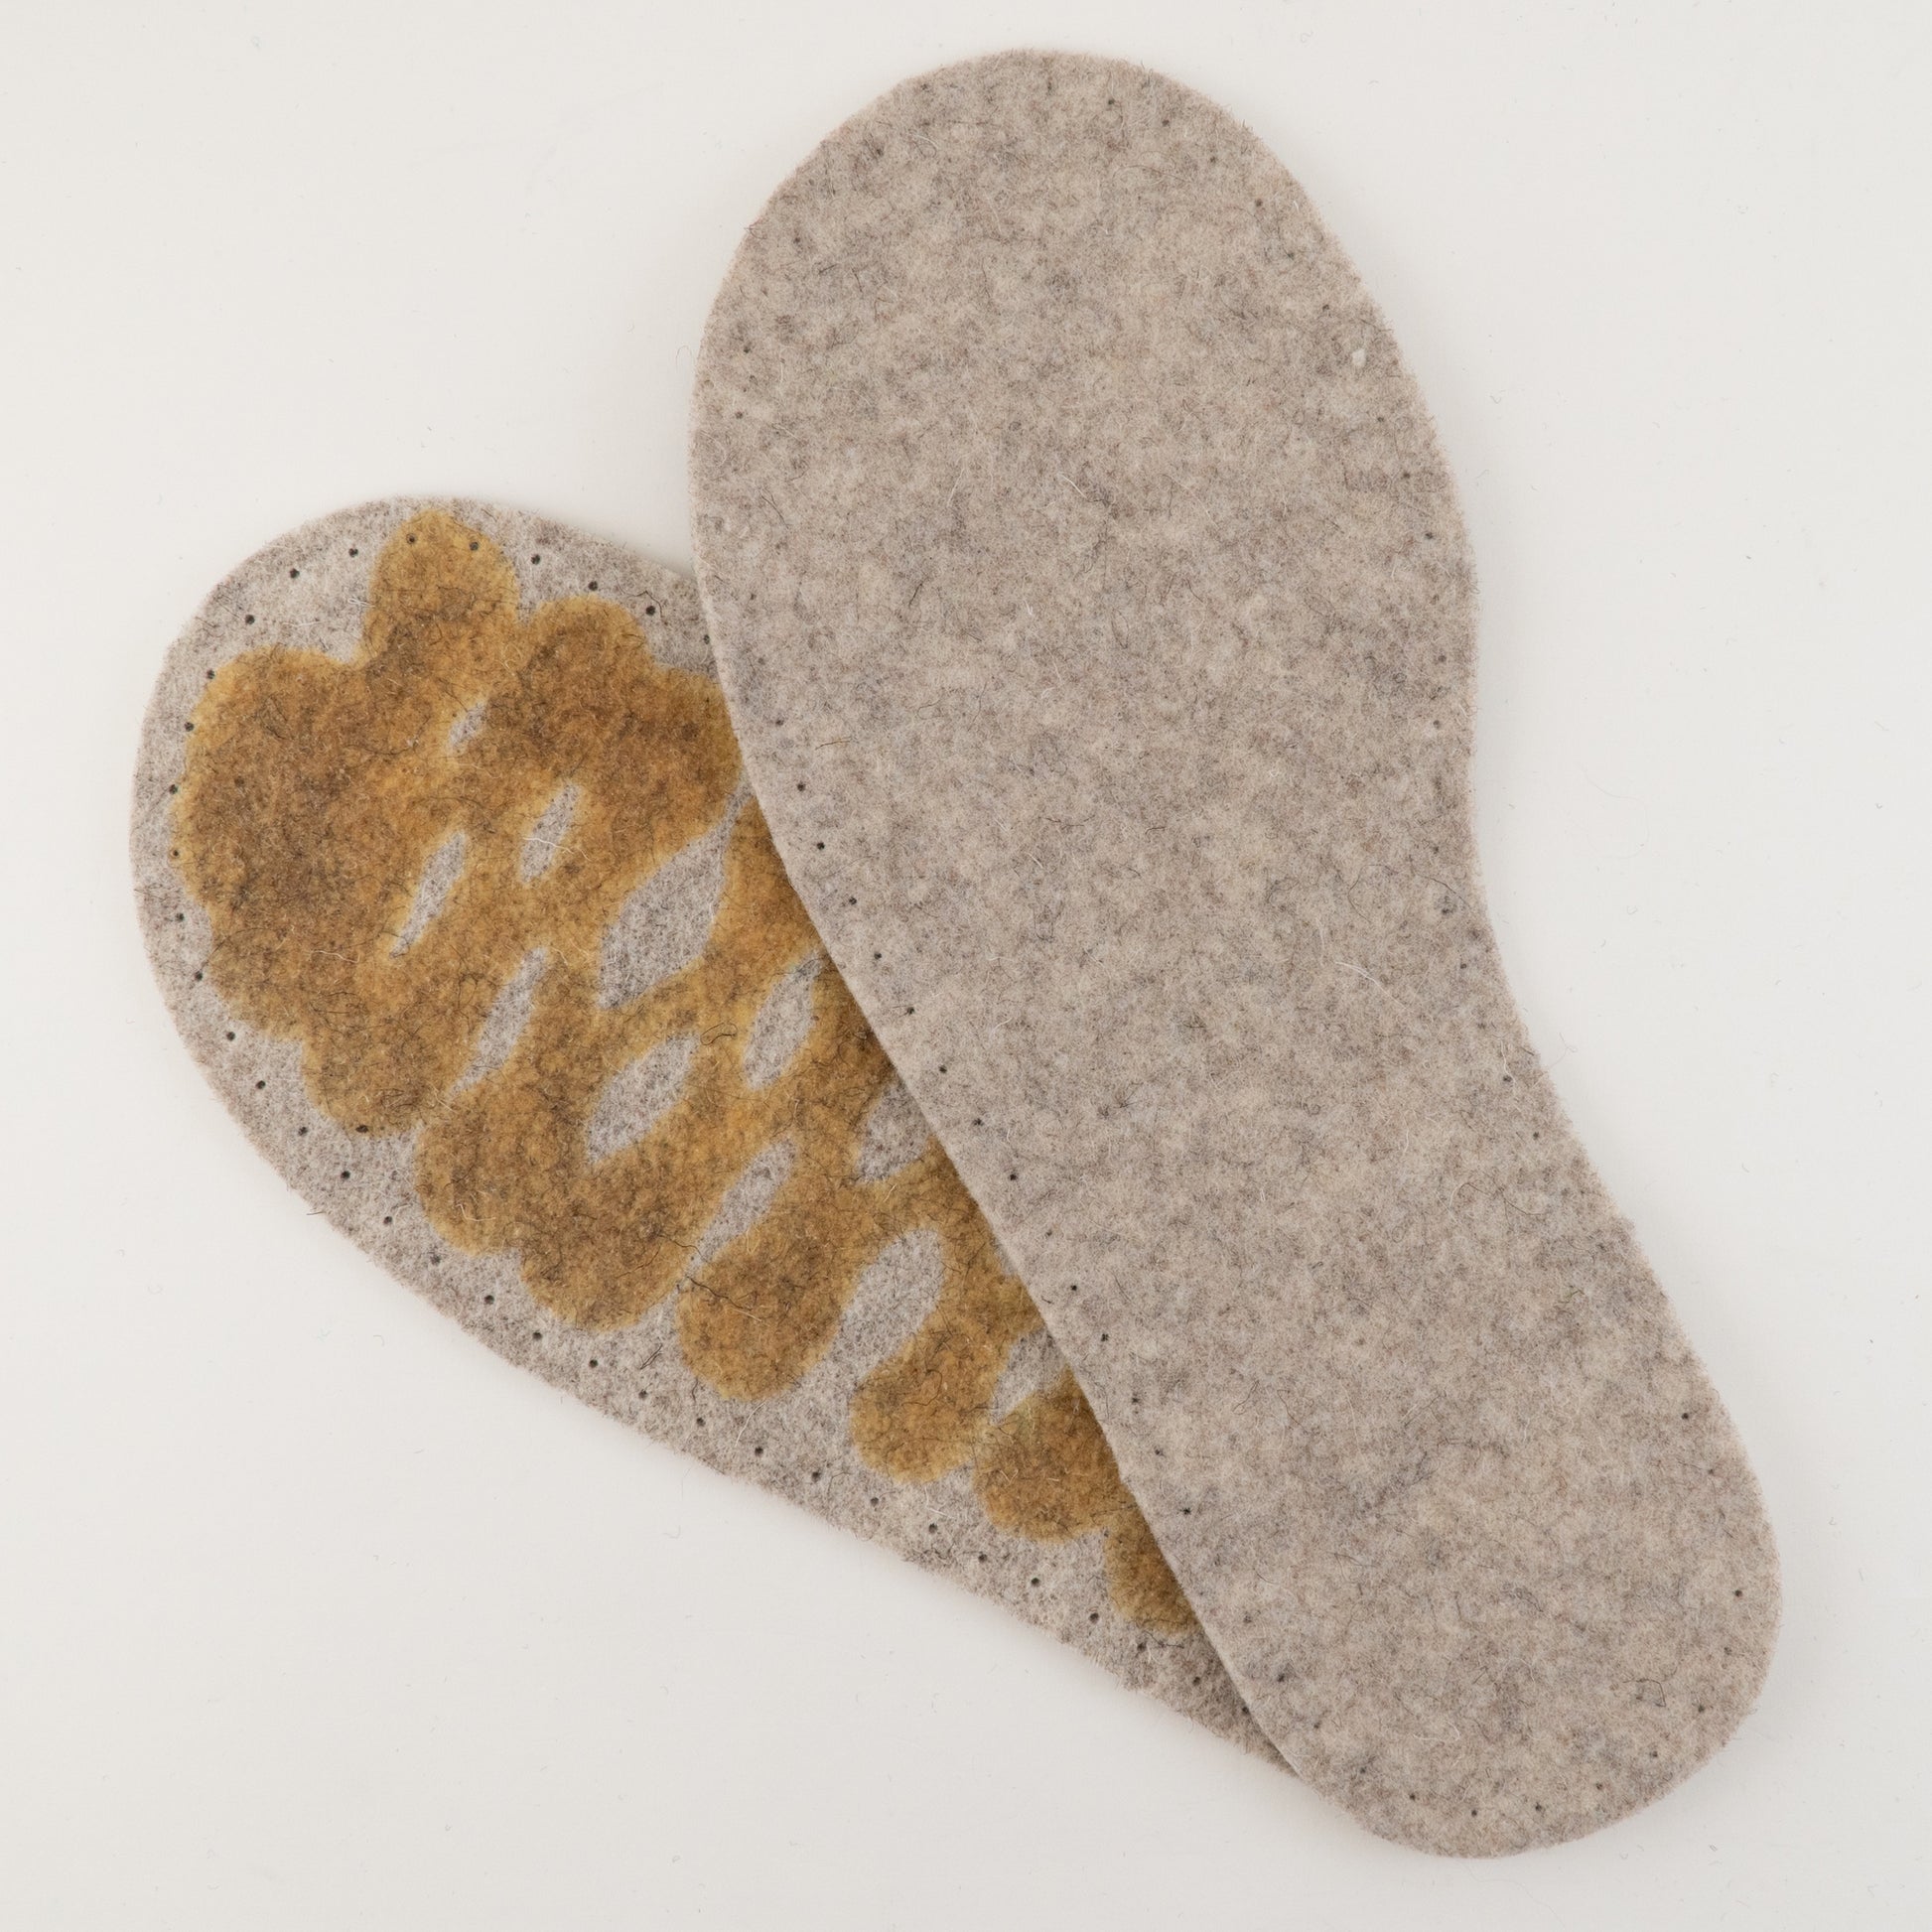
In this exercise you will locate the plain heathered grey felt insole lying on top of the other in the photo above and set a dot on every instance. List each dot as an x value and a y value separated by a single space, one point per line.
1098 623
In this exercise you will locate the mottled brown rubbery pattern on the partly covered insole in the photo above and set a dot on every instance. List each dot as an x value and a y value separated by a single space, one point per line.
314 803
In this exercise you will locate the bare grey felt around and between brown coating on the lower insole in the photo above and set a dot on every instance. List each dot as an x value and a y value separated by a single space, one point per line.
310 592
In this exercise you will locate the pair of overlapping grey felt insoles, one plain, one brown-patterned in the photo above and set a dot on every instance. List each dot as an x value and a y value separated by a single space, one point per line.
1054 1106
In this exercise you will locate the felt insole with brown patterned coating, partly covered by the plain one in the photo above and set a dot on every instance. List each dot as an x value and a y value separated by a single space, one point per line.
453 886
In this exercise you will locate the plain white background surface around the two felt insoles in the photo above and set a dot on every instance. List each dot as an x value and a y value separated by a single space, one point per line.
318 1616
